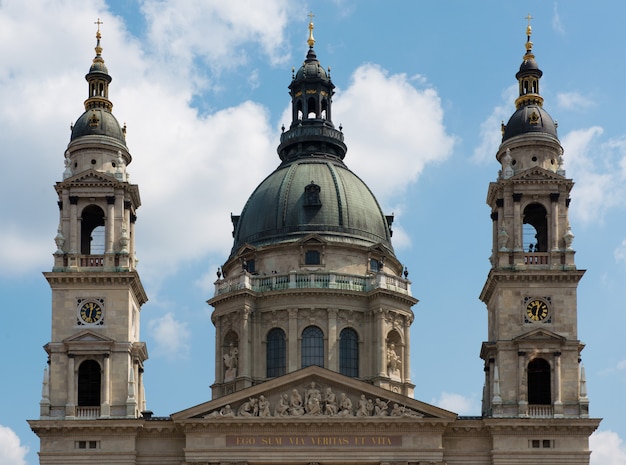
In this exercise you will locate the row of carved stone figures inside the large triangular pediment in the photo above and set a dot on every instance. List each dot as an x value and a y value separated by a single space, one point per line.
314 403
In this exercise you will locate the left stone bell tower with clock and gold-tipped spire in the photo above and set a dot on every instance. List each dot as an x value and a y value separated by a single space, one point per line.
95 357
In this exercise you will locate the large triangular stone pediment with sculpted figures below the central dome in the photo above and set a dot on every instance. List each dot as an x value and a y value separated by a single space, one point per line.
281 397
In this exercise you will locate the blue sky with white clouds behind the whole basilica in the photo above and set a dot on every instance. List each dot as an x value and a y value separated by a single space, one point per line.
421 90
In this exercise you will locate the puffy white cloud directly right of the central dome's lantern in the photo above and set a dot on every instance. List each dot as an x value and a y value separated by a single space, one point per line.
393 130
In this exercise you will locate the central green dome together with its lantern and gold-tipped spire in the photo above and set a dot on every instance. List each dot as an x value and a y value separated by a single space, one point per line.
312 191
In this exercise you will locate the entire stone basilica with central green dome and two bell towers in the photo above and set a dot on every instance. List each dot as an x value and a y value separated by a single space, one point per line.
312 310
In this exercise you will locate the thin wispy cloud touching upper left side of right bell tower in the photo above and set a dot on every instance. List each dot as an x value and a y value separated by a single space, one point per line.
491 128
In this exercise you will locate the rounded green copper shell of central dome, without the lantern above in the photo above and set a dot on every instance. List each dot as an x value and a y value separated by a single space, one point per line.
312 196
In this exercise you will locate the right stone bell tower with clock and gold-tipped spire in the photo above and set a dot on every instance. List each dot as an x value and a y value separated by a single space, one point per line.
532 356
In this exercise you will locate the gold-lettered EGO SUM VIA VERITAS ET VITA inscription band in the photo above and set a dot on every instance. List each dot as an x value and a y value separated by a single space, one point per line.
382 440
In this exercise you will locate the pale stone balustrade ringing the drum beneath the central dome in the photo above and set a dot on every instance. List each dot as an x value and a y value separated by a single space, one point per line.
295 280
